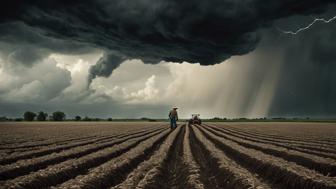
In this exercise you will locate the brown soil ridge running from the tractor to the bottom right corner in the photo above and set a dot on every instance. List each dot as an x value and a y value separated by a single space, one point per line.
276 170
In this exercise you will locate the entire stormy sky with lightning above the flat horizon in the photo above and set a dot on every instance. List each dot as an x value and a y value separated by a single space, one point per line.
133 59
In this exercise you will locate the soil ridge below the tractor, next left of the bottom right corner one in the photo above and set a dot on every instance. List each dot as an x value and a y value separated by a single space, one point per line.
219 171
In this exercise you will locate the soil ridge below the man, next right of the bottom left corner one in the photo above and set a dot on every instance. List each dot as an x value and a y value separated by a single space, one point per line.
116 170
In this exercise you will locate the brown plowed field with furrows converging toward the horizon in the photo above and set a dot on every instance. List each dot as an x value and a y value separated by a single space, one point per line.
150 155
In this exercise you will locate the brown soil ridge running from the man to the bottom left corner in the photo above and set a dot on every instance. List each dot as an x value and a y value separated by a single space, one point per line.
59 173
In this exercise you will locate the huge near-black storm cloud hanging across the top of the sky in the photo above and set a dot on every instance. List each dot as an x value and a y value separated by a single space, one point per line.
205 32
